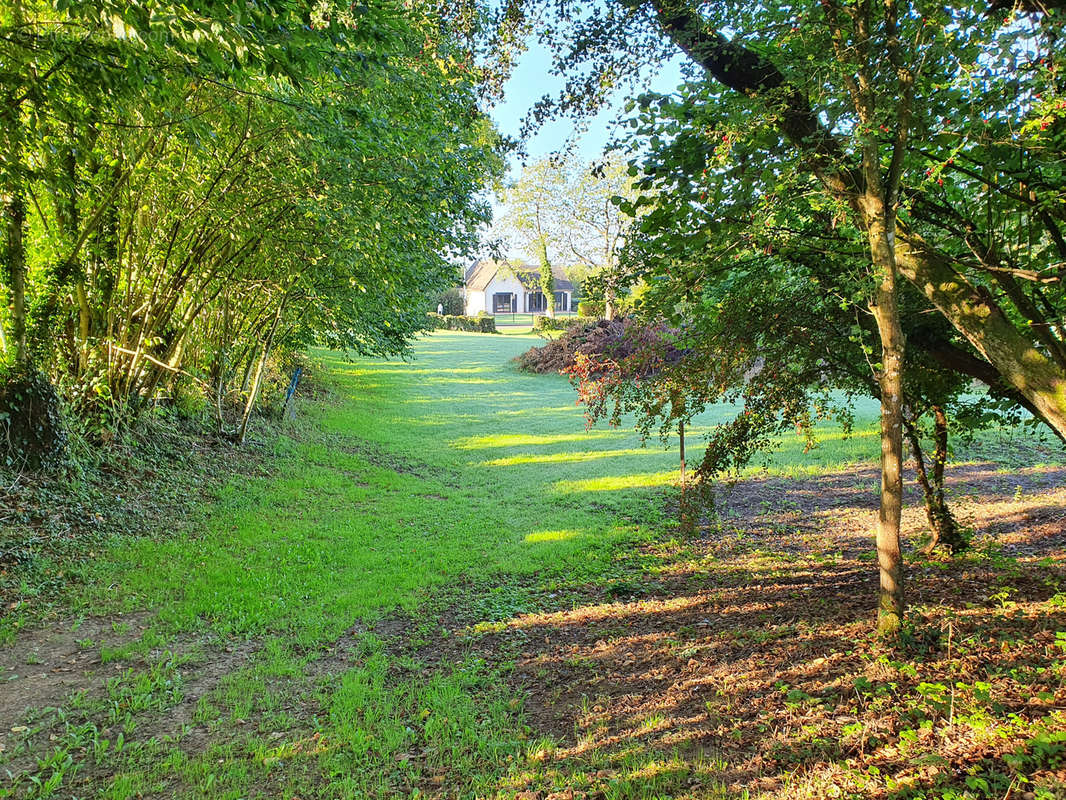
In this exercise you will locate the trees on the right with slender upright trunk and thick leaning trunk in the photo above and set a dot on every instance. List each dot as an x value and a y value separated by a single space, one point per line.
864 196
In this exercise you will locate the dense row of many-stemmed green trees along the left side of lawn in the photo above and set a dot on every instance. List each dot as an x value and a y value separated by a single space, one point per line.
186 189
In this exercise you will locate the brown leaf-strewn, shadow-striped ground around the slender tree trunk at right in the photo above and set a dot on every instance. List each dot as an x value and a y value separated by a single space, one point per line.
748 664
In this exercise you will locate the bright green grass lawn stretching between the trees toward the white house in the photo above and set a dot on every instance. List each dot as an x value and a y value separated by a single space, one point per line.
450 478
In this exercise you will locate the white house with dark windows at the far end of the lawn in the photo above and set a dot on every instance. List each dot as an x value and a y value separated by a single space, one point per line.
499 287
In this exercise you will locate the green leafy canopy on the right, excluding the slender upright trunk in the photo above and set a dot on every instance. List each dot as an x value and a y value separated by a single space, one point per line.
728 175
